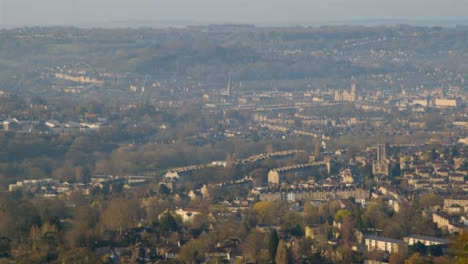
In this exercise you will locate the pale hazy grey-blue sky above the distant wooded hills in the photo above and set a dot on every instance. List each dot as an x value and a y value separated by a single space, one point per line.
30 12
